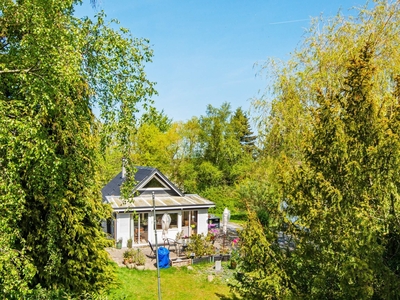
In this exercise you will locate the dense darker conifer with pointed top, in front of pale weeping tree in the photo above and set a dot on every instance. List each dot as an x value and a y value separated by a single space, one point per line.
341 192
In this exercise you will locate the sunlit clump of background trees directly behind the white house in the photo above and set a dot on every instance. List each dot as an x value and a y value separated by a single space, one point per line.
205 156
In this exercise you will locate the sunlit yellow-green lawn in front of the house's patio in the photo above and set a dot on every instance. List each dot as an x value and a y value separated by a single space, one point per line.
176 283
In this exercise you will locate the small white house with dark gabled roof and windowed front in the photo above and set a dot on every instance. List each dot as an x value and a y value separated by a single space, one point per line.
133 218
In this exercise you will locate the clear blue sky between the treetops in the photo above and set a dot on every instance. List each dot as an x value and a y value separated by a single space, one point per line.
209 52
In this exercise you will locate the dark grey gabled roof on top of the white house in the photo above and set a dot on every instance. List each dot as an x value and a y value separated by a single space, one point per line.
142 176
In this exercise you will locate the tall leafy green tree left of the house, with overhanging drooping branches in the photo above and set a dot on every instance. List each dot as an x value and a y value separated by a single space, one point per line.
54 69
